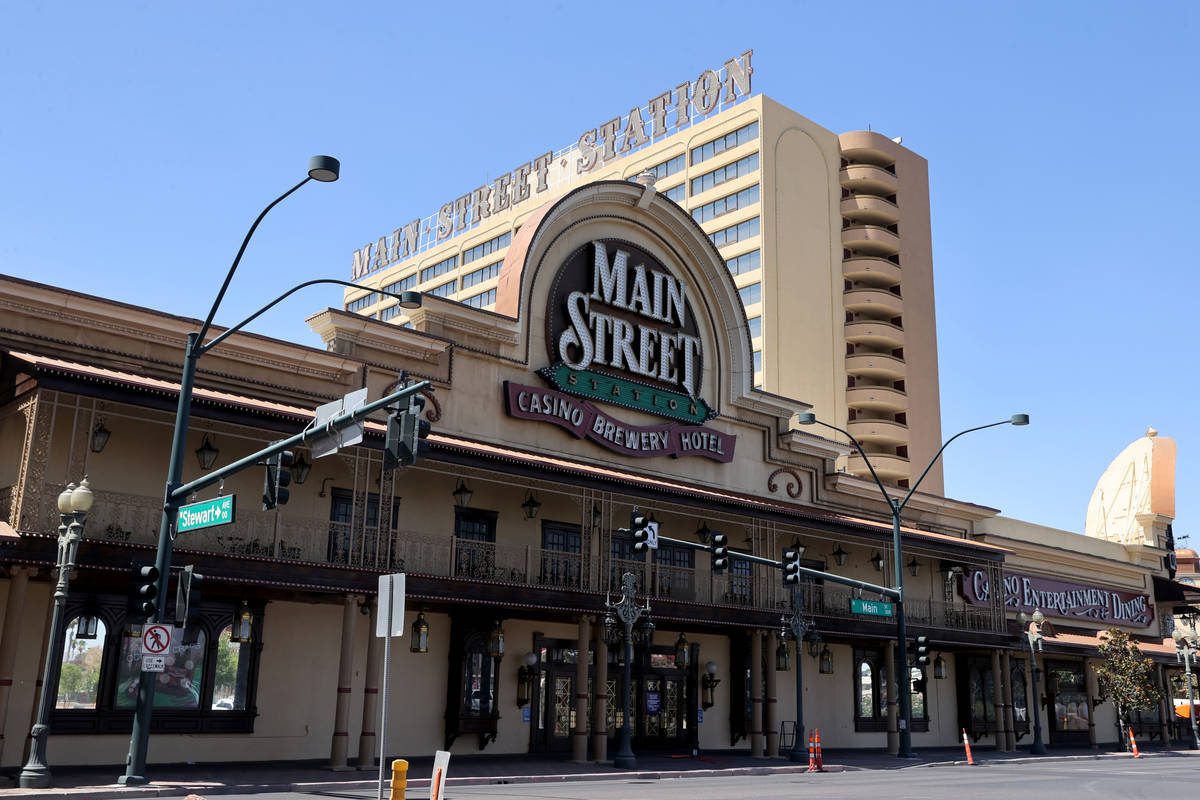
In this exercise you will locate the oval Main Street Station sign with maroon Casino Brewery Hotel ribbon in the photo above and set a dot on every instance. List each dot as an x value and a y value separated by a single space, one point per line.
621 332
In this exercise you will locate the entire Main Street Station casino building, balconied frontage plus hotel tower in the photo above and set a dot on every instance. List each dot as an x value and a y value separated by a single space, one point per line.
605 346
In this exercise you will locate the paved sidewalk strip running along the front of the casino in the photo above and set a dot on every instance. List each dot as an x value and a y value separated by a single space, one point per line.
214 780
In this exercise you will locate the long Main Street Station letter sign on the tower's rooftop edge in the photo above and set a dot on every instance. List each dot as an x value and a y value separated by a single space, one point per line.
668 112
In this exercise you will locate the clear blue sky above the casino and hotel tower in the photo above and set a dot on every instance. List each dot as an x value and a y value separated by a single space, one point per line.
142 140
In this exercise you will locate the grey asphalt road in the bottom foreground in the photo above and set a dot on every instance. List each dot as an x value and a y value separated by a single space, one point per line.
1091 779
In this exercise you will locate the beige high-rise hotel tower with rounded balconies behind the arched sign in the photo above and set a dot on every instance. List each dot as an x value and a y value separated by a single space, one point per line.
827 237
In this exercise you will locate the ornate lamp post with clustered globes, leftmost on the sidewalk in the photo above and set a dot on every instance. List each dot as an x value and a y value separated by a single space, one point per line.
74 506
